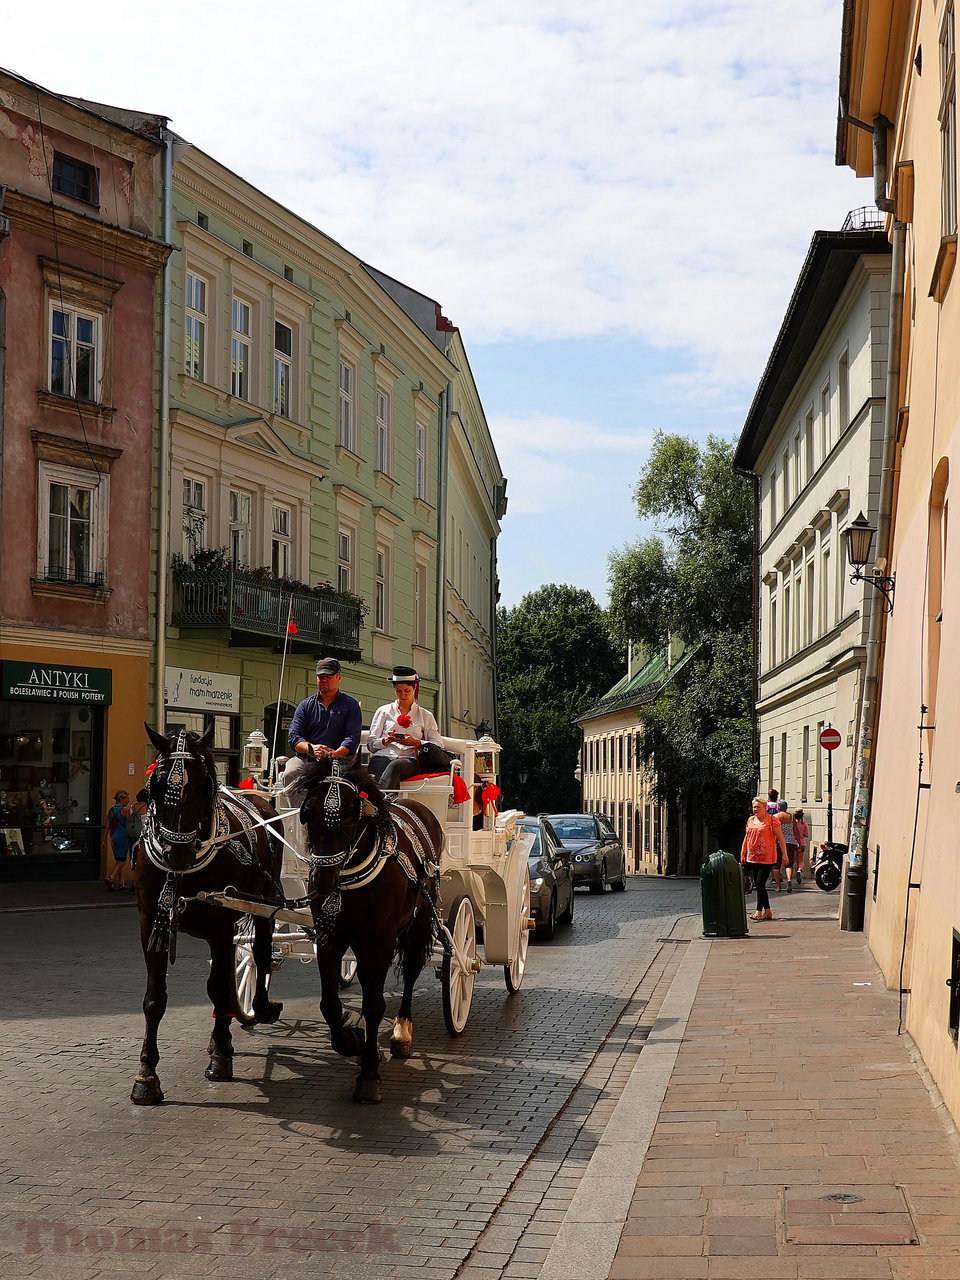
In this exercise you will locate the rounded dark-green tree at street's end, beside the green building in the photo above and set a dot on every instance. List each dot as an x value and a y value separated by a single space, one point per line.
555 657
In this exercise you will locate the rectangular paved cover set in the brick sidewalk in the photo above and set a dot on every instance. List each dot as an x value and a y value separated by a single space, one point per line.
848 1215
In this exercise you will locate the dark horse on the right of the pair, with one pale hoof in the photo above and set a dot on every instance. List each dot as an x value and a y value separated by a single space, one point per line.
373 888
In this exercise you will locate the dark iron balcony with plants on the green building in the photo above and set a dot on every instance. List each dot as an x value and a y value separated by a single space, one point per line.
255 612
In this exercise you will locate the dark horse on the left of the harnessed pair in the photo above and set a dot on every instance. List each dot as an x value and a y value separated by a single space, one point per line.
199 836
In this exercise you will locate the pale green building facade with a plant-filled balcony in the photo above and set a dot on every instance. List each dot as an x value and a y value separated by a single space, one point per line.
312 410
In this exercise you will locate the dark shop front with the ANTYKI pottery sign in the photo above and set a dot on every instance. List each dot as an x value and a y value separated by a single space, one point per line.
53 724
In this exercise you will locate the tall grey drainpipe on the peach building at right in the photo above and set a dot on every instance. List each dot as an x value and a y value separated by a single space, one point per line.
856 872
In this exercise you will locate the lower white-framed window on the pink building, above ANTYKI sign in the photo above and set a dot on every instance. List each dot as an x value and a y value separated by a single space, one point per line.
72 527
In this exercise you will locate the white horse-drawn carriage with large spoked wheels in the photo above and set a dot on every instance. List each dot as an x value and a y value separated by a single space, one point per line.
484 888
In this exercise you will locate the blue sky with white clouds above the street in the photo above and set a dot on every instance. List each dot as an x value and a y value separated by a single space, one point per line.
612 202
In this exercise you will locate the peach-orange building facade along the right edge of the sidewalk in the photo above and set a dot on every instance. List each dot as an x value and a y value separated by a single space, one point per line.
899 122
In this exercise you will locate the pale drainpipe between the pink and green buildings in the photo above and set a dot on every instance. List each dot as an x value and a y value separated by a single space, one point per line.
163 542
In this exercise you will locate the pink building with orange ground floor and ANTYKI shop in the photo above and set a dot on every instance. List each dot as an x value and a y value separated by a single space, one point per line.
80 277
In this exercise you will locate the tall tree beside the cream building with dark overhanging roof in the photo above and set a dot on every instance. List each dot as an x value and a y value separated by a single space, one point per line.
692 586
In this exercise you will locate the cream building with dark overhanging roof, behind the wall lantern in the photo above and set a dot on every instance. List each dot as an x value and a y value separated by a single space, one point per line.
813 441
